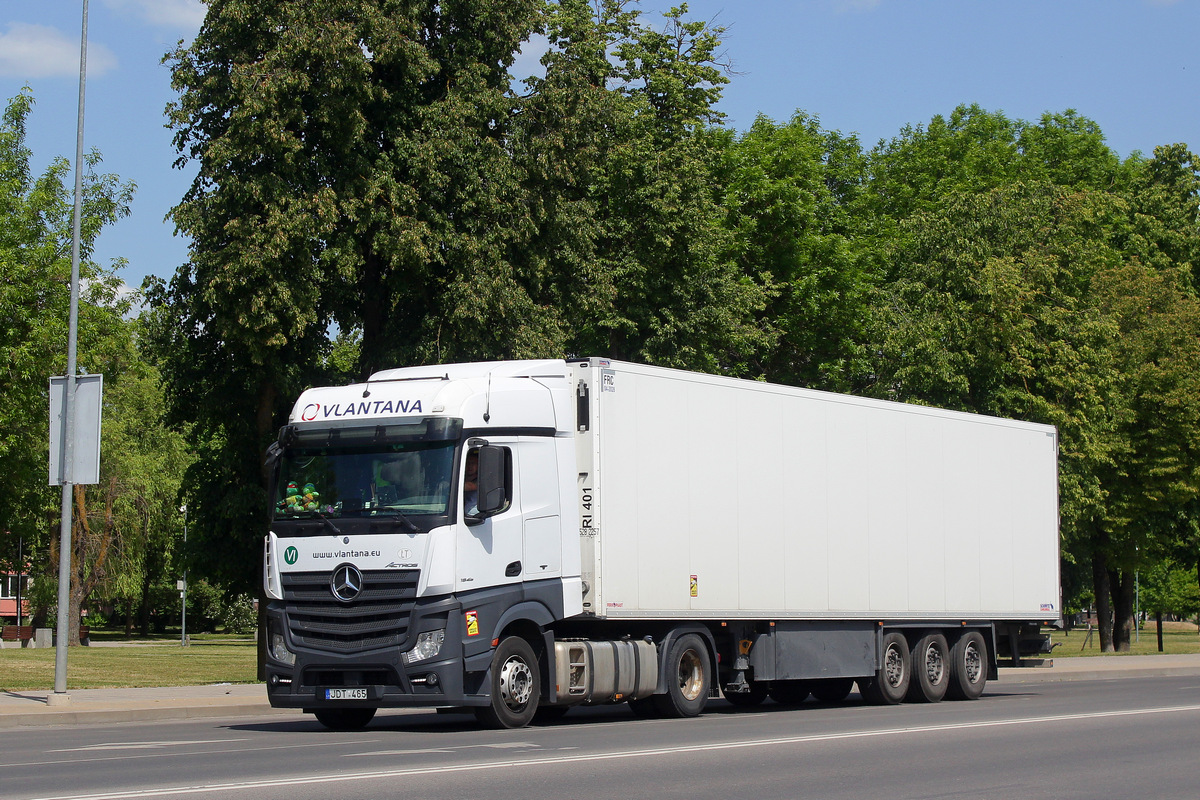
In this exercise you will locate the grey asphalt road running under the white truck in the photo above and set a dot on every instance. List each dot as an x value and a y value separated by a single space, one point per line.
1124 738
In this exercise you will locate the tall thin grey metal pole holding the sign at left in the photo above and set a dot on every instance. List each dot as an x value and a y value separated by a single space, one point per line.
64 622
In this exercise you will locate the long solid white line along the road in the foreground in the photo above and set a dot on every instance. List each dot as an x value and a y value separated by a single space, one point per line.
549 761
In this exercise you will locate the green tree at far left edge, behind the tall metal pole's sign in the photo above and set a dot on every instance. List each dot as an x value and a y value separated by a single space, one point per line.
35 292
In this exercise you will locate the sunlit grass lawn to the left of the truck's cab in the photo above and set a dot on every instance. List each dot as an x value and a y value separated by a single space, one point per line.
159 664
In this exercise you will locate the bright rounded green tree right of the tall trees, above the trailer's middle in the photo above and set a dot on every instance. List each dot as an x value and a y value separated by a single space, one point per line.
789 195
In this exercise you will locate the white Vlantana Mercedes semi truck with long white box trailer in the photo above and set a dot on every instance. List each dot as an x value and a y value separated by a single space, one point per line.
532 536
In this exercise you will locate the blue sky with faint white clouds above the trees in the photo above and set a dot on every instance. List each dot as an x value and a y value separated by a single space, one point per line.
862 67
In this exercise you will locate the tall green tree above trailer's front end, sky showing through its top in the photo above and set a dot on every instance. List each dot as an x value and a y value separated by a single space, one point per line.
621 163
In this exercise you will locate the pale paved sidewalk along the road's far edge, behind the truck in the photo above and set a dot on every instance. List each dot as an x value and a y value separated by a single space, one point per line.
112 706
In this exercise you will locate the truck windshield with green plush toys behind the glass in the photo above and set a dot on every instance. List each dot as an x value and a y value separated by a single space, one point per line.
404 480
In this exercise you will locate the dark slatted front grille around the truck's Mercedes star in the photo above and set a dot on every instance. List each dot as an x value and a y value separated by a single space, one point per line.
377 618
